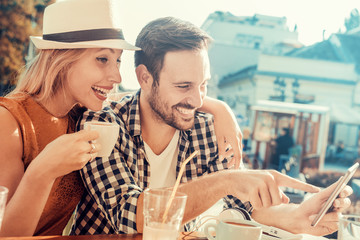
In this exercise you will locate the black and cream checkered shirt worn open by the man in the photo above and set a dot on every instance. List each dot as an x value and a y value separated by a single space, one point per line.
114 184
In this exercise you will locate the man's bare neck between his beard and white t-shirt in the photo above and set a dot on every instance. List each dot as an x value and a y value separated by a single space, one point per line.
154 132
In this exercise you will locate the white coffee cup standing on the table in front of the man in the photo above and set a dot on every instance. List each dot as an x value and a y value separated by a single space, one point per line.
234 229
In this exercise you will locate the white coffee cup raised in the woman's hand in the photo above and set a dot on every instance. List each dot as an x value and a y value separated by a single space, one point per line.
108 134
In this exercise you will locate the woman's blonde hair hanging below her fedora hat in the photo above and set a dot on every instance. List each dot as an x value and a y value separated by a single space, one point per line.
46 73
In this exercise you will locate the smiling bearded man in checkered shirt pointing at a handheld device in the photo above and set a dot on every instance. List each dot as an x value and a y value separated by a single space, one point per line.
160 127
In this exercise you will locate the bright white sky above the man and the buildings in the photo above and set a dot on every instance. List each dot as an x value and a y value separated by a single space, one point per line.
310 16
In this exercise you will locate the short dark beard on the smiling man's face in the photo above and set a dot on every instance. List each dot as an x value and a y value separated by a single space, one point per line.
166 113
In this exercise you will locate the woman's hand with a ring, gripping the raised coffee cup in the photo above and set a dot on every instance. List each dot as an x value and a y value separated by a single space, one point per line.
67 153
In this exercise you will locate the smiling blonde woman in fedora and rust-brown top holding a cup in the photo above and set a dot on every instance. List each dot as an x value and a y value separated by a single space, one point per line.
77 66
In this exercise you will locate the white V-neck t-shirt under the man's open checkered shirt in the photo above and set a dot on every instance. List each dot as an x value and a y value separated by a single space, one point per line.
163 166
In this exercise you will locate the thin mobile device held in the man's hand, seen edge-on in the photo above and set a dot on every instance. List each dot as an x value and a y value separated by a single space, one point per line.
339 187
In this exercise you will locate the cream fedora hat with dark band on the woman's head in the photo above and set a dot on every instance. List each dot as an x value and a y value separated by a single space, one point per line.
71 24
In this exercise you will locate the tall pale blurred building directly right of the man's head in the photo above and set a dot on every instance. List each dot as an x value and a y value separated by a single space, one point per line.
240 40
